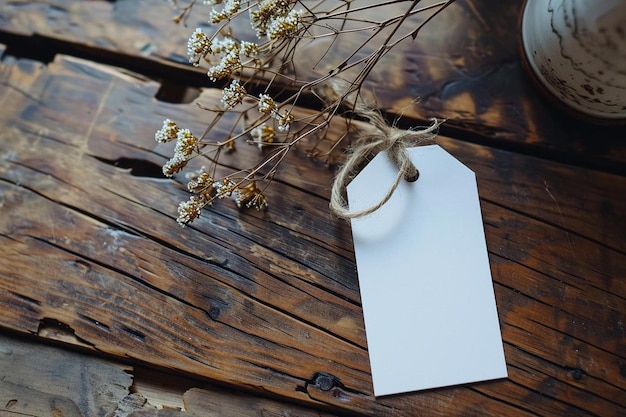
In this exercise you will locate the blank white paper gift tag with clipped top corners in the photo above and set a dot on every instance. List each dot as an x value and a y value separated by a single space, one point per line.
426 289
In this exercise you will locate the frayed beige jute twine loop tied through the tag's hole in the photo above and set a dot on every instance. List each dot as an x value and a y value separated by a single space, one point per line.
384 138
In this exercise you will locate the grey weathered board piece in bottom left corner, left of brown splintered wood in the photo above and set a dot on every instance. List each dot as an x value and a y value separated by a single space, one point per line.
45 380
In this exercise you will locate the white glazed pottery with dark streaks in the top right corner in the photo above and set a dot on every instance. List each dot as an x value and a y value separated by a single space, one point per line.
576 49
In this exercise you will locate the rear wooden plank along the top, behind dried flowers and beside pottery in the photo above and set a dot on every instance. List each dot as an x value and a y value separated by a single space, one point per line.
463 67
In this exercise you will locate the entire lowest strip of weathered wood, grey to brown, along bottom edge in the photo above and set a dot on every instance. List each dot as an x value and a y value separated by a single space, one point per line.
43 380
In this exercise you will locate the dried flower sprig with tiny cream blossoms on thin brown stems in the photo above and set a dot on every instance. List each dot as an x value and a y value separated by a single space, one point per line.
268 54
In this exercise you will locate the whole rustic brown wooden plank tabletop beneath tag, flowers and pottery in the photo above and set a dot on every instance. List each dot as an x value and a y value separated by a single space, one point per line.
108 307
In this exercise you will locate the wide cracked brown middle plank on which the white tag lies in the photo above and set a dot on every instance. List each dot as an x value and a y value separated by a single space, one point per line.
268 301
